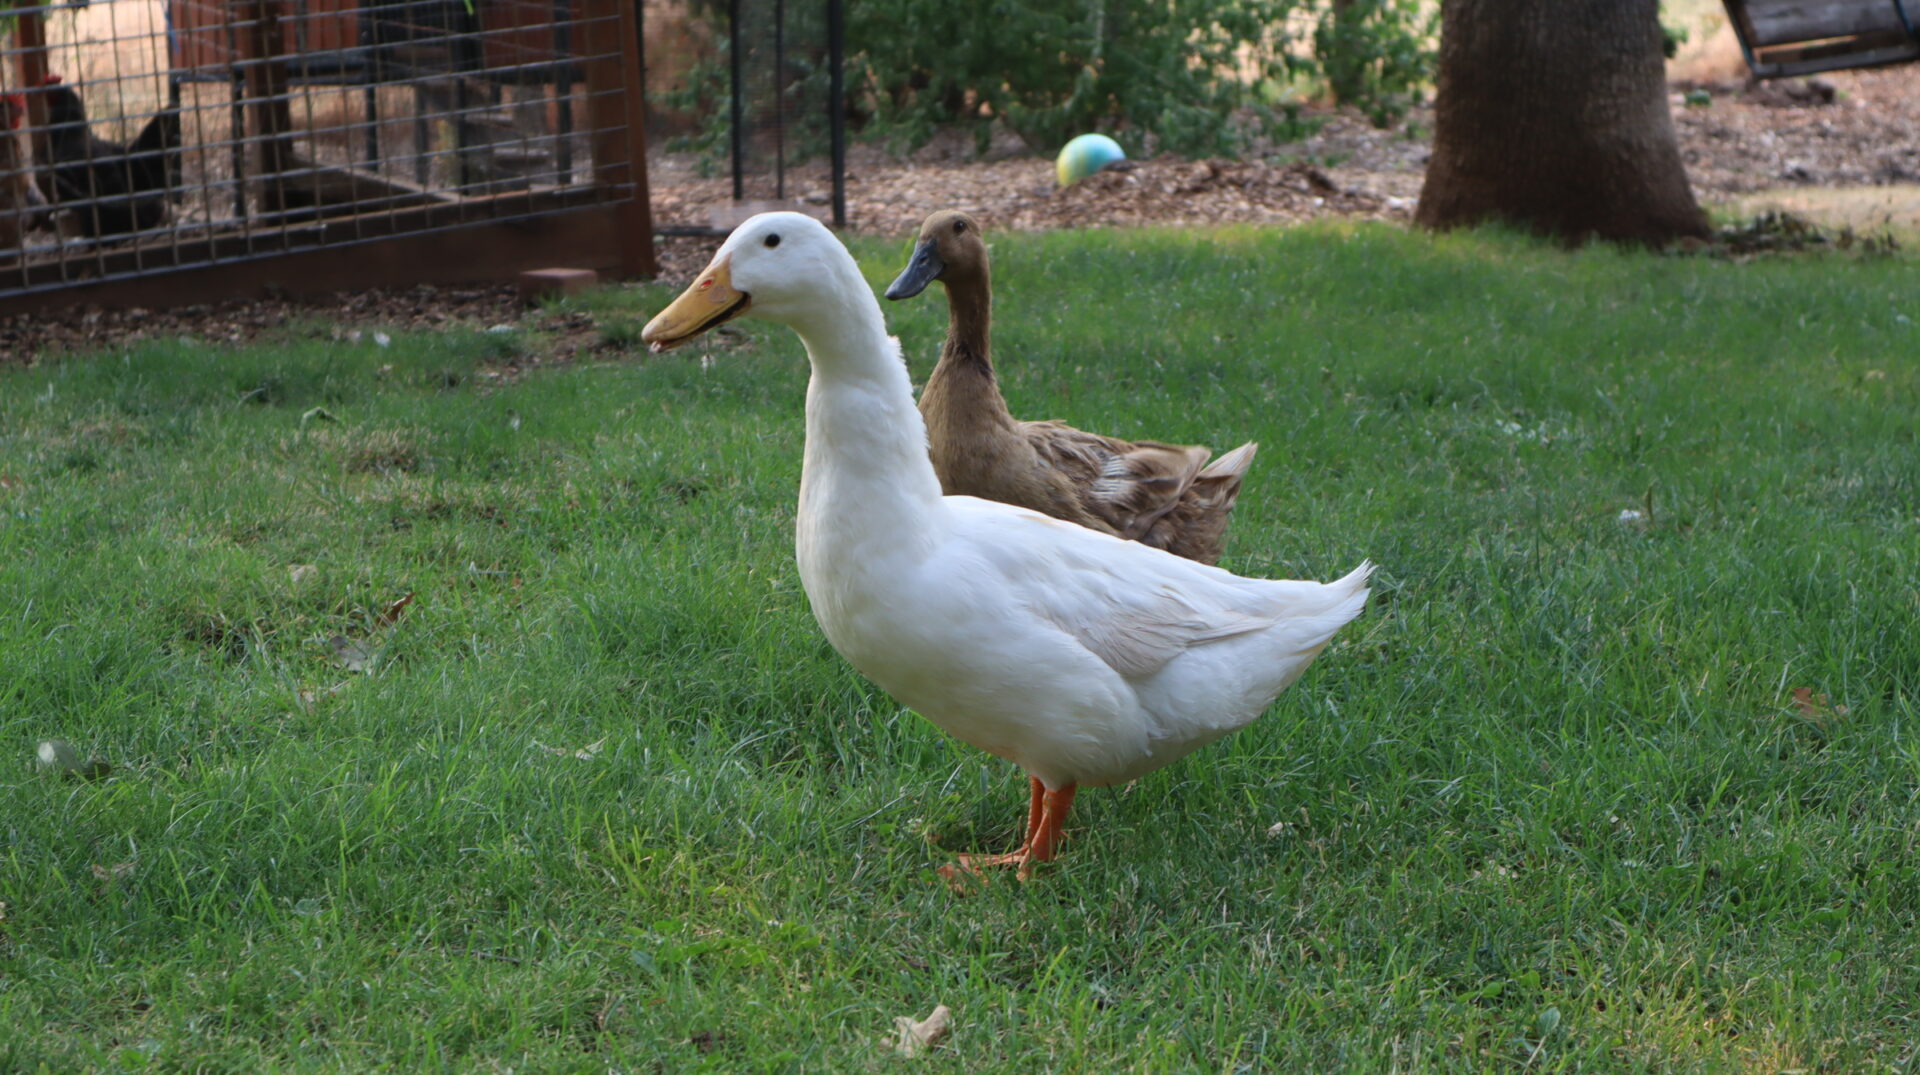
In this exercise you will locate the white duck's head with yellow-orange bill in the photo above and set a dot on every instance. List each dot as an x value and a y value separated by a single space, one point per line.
784 268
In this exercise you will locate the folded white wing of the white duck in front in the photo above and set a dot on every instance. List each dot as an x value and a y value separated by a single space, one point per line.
1134 608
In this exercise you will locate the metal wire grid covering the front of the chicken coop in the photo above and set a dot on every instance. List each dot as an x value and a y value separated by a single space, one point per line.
228 130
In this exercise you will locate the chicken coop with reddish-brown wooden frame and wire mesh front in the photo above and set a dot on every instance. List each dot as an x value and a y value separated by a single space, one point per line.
172 151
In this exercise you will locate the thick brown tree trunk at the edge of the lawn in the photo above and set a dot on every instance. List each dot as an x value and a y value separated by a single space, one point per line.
1552 116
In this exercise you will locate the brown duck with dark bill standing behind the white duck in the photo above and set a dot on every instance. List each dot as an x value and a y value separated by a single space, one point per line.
1159 494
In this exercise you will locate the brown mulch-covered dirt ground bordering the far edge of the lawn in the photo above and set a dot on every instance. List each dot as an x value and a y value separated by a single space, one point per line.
1842 149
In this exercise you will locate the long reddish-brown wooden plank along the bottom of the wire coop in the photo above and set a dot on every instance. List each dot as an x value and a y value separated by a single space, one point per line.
492 252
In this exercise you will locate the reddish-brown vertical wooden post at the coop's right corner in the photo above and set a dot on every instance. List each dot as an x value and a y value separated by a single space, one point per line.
617 120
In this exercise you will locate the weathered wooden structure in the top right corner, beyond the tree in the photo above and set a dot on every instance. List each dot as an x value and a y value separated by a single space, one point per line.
1806 37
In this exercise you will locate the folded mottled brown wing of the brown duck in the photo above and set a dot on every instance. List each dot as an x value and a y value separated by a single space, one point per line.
1126 485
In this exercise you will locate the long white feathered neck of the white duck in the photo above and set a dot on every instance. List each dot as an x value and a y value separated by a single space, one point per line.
867 483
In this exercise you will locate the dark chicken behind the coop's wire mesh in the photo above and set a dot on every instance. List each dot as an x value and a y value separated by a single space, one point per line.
110 189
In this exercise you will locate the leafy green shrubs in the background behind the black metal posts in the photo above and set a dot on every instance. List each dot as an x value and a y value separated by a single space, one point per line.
1182 76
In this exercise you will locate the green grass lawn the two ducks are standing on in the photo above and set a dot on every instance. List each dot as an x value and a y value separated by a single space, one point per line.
1548 805
